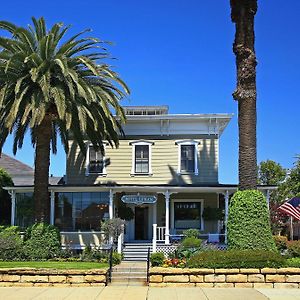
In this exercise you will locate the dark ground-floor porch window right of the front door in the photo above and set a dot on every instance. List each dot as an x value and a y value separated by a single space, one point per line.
188 215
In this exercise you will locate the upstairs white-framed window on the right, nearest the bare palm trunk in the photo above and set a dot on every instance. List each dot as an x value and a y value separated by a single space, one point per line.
187 157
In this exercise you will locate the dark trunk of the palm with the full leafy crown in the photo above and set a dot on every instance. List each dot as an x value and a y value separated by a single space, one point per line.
41 174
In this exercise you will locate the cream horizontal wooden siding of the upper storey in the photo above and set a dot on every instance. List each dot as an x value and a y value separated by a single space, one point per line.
164 164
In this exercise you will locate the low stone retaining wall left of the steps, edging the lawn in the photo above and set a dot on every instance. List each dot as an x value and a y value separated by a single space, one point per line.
52 277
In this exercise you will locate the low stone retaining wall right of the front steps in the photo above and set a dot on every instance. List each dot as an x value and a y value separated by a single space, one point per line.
248 278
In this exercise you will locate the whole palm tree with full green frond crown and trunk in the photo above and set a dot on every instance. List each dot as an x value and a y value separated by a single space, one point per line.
55 87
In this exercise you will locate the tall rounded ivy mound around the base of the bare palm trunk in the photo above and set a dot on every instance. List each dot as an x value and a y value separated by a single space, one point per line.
249 222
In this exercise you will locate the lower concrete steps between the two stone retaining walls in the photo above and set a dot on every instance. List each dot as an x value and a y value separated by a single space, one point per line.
129 273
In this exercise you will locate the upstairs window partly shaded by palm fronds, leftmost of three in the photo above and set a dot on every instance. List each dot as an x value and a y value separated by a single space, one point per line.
95 162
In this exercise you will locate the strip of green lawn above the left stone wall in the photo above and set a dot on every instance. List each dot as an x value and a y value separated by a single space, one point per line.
53 265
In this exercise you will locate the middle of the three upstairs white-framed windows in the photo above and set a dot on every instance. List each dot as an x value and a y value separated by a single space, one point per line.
141 158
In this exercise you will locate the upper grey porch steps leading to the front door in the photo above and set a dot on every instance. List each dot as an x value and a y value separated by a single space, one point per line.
136 251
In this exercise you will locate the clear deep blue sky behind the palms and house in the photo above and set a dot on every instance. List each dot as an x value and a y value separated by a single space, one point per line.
179 53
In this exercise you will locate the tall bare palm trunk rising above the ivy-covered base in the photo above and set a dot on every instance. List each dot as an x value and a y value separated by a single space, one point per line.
242 14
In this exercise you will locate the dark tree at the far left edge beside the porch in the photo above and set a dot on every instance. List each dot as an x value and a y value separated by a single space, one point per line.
5 205
